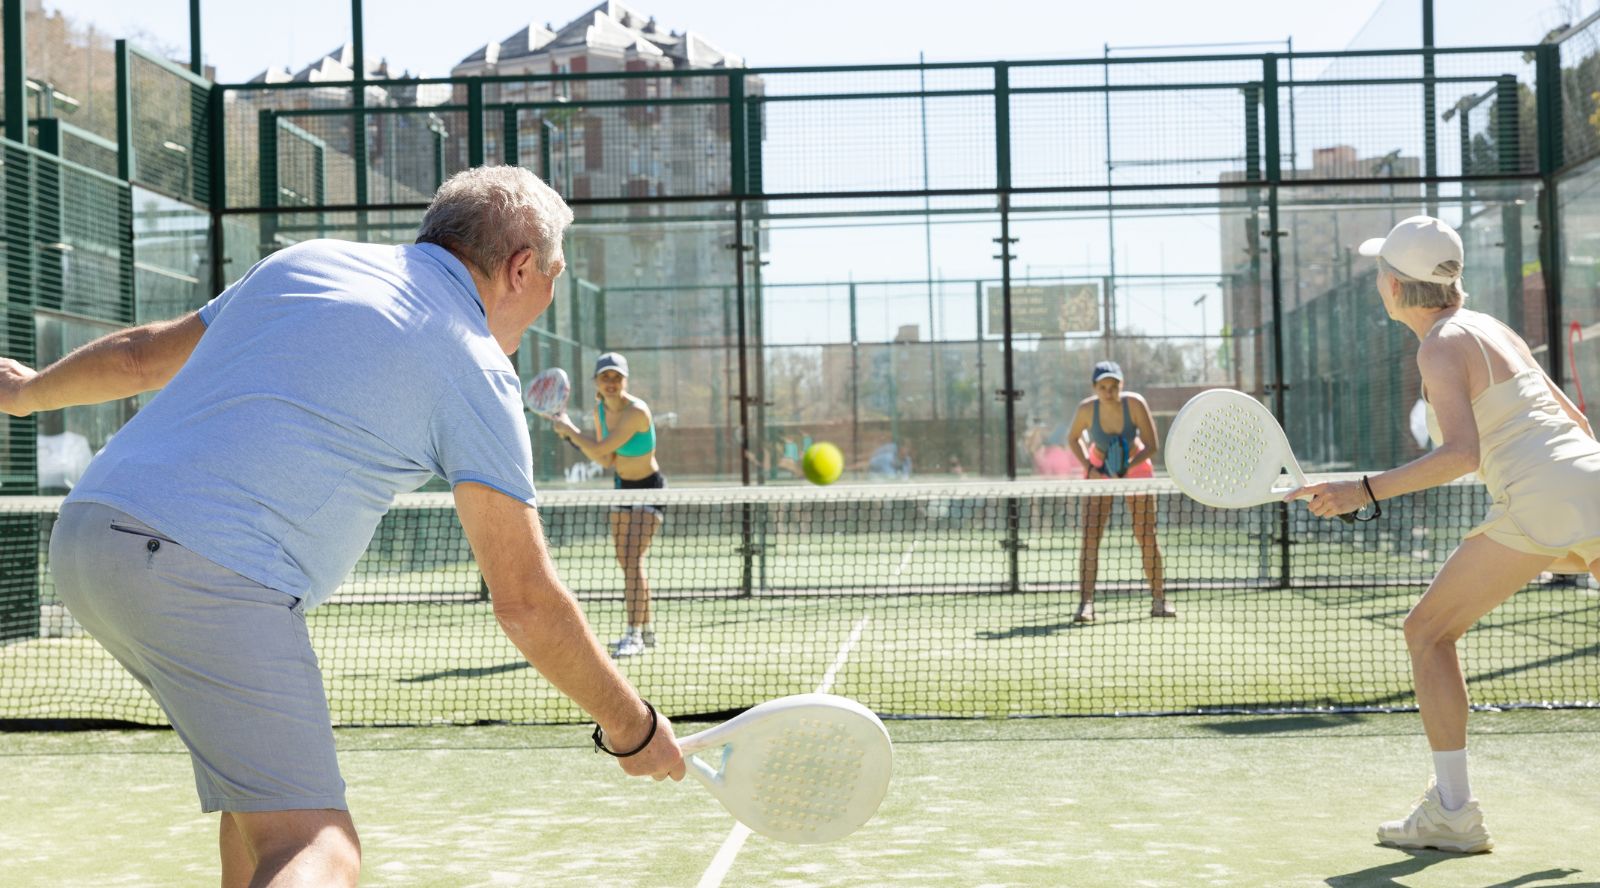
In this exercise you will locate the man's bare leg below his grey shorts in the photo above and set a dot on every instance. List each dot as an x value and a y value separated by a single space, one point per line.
313 847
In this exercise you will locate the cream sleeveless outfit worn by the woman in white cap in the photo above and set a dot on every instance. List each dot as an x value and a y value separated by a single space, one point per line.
1540 466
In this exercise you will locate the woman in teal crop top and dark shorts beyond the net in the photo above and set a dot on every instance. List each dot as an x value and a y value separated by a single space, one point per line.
626 442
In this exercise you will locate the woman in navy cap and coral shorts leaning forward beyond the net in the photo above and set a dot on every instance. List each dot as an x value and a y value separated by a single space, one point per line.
1122 436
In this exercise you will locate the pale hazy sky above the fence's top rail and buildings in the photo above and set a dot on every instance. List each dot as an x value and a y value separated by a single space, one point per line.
415 36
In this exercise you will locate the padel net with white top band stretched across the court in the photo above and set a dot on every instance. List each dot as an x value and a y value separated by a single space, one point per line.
937 601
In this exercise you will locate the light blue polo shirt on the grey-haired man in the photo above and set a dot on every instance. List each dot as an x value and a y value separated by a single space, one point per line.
330 378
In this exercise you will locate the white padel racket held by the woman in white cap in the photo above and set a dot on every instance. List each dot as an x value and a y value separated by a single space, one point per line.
1226 450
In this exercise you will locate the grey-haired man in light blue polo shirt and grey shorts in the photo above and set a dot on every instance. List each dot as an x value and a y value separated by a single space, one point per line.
292 410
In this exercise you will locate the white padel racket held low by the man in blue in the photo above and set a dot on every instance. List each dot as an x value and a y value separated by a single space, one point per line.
801 769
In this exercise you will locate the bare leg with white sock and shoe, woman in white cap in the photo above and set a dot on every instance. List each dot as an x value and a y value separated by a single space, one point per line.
1478 578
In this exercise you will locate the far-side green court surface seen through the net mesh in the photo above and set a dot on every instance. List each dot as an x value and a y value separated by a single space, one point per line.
902 655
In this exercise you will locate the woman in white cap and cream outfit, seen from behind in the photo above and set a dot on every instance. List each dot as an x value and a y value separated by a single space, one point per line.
1492 410
